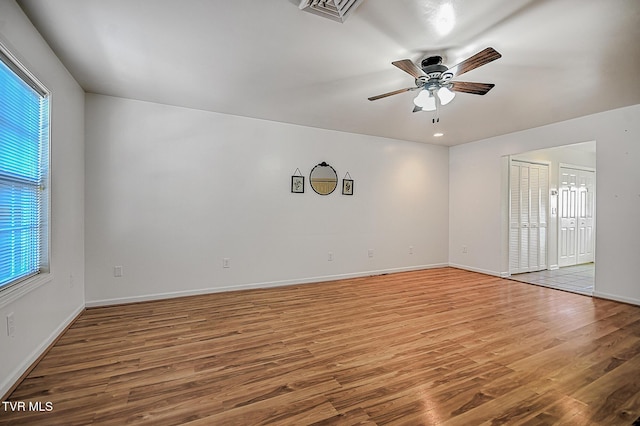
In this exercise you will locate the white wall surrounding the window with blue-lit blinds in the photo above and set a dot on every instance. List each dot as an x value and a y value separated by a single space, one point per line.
43 313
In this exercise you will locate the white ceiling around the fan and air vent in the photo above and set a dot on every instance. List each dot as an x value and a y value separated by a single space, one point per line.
268 59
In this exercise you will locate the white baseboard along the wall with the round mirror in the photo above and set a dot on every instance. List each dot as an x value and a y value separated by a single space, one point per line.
247 286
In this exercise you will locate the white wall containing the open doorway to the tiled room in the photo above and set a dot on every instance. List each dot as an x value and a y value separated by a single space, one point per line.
476 191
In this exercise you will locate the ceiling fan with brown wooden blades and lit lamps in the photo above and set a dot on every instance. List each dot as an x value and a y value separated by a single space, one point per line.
434 80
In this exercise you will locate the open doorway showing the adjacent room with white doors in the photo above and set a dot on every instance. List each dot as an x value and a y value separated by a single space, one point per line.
564 206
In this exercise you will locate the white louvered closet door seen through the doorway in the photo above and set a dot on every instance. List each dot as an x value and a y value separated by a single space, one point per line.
529 193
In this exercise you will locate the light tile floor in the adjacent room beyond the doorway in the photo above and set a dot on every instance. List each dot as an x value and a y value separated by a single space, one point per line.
577 279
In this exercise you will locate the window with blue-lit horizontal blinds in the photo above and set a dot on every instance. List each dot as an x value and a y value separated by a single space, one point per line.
24 165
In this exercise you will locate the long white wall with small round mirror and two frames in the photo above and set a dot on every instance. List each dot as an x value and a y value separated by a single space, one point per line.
172 191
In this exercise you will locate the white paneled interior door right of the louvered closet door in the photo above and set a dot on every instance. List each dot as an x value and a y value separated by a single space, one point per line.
576 216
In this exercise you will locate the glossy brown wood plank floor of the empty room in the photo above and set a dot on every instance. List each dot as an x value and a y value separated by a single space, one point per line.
435 347
